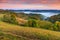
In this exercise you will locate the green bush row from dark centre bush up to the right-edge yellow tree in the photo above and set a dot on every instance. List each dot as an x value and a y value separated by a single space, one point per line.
40 24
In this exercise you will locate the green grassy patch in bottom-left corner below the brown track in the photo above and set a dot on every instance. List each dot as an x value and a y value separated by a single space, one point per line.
8 36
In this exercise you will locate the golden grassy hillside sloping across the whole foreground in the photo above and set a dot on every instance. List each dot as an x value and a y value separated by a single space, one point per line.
15 32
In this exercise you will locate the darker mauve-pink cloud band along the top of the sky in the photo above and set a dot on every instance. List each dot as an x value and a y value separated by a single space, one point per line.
31 1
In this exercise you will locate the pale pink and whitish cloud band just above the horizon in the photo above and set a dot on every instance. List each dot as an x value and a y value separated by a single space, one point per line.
28 6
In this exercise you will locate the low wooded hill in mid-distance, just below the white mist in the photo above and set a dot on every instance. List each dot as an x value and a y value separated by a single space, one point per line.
30 16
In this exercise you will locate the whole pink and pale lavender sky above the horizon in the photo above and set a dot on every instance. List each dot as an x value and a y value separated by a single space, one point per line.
30 4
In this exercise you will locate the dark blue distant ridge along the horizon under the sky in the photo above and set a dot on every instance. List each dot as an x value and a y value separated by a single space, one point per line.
54 11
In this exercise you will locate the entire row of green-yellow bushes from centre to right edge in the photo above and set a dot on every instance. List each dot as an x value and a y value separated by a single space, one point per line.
43 24
